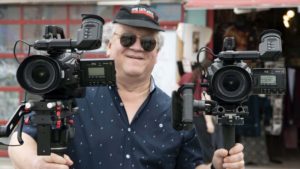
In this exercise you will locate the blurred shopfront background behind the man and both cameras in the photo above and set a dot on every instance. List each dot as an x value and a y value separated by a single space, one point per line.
271 132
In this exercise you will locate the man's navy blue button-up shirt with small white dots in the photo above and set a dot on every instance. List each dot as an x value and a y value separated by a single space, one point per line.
104 139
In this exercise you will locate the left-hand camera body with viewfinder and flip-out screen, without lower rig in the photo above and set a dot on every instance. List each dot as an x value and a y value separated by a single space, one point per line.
62 75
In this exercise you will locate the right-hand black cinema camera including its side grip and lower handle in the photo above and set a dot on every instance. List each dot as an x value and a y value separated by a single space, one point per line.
230 81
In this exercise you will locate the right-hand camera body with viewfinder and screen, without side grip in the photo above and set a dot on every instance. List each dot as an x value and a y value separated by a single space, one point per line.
230 80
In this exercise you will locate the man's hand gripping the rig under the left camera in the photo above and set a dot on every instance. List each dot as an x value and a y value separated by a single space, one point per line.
53 161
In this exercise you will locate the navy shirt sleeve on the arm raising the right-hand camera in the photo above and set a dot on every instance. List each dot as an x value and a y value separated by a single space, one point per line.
190 154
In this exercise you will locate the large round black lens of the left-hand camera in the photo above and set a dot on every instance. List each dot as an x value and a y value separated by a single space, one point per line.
39 74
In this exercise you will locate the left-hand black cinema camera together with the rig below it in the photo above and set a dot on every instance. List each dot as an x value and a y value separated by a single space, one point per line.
54 80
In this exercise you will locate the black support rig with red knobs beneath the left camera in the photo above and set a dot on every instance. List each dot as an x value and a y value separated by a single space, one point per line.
52 119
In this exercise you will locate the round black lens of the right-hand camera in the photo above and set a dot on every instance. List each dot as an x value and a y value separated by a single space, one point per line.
231 84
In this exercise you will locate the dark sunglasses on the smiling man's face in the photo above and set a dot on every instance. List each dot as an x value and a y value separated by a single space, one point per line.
148 43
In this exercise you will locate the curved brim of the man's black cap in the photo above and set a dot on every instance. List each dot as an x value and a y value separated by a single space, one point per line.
138 23
